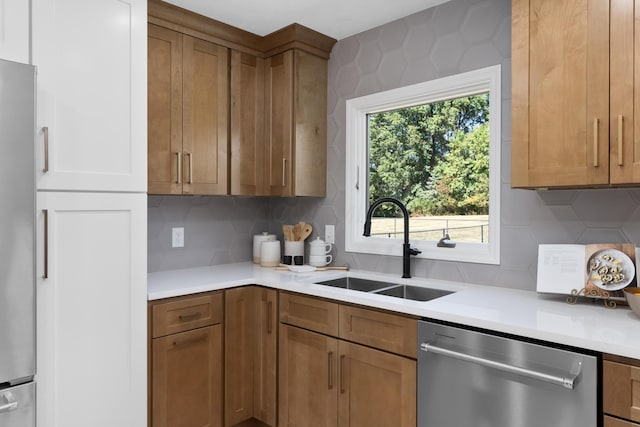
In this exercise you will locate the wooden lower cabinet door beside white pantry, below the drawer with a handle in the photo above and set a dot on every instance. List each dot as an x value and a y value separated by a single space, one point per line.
187 379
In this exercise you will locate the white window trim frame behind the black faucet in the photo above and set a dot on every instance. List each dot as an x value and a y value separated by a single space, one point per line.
459 85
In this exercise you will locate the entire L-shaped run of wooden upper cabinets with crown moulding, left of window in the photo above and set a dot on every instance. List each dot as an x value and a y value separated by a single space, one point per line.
250 122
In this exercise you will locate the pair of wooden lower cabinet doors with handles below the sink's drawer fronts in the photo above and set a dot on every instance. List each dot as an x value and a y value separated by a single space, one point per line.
324 381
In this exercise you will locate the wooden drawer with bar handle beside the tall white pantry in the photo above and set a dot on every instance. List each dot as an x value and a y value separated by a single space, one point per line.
187 313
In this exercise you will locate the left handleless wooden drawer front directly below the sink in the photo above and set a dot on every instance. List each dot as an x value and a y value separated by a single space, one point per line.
309 313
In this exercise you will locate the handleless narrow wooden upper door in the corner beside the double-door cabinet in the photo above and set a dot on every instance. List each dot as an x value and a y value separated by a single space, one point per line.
247 125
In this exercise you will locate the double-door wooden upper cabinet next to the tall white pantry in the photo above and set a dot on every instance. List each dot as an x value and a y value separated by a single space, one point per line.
188 114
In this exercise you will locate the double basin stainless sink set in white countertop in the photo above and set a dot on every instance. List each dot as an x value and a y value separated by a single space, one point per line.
416 293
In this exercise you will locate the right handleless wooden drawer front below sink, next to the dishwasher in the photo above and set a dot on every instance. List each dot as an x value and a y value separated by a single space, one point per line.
385 331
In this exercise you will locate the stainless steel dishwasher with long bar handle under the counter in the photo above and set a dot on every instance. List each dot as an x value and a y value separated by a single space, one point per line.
470 378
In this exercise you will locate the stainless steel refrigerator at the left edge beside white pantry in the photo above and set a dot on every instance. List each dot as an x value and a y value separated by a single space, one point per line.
17 243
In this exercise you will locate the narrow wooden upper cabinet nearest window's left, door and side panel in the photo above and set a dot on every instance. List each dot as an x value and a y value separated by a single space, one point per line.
296 123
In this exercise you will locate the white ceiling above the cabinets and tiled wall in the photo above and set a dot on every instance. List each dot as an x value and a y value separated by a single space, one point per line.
335 18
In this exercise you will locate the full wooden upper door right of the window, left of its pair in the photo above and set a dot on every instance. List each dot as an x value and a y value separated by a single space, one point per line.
560 92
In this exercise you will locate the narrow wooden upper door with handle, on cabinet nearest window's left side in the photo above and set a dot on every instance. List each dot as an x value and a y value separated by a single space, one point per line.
279 123
